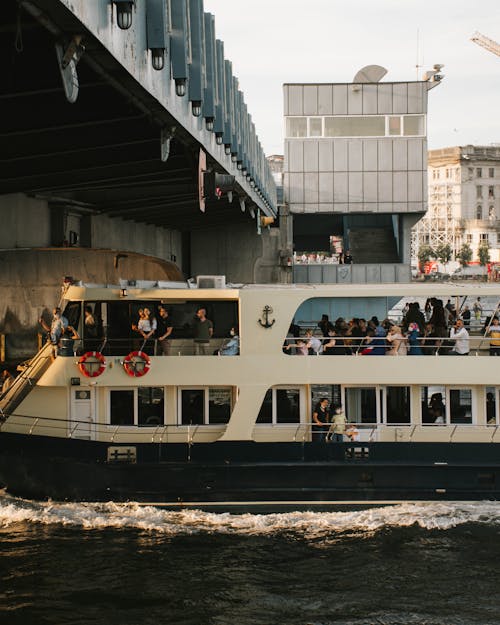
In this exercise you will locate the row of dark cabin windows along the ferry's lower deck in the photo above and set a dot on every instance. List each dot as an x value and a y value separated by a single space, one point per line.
440 405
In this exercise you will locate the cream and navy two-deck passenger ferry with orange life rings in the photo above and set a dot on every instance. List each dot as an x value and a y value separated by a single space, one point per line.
107 416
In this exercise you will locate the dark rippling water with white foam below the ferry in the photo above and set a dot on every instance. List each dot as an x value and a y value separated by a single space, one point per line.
425 564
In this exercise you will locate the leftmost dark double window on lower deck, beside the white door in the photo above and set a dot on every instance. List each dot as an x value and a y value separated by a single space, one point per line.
142 406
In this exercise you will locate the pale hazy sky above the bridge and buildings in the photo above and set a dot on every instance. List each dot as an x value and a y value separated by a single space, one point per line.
271 42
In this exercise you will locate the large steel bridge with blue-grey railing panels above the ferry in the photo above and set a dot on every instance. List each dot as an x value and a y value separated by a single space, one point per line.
118 119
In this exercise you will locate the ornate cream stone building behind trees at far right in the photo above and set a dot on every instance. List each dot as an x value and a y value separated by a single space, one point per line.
464 200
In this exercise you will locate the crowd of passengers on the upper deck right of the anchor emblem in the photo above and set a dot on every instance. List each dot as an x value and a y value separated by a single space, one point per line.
438 329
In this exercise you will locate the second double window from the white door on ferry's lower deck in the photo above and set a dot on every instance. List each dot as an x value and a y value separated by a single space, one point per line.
204 406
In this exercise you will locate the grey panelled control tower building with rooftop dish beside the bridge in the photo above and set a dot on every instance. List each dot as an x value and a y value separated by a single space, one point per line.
355 174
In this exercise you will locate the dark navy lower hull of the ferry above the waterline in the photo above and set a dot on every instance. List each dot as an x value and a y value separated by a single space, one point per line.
243 474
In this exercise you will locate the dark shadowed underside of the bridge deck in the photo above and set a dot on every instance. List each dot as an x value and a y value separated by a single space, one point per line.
101 154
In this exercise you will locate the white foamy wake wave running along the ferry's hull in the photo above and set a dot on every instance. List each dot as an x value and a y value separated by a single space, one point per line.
98 516
